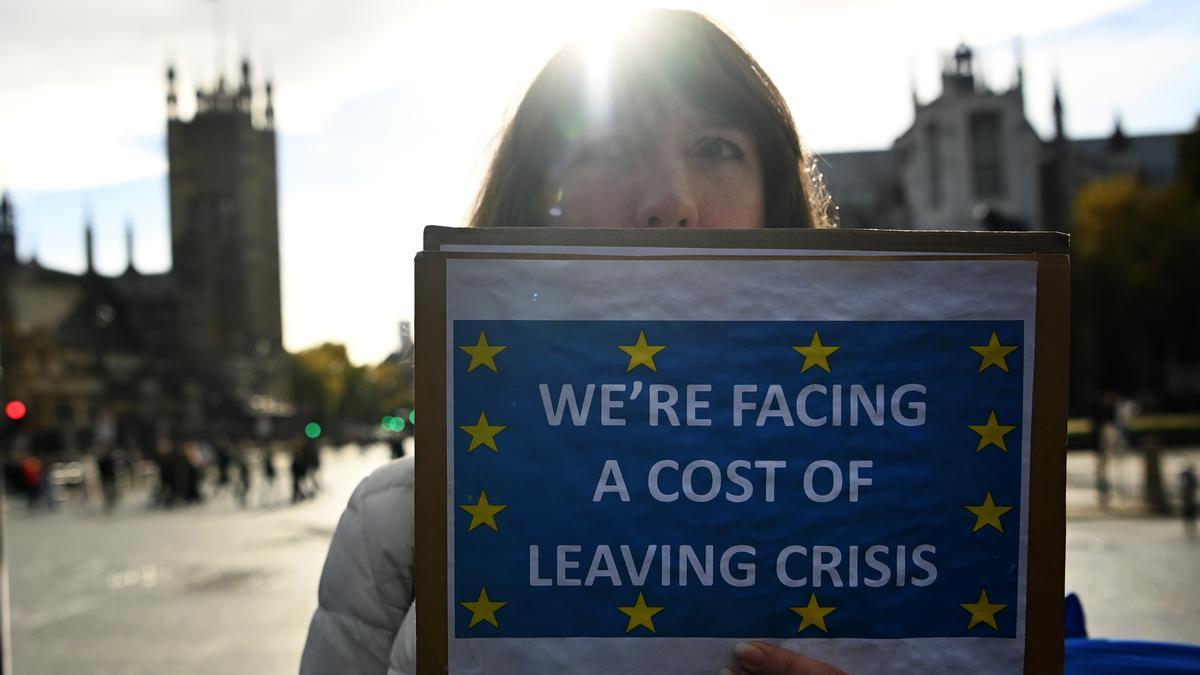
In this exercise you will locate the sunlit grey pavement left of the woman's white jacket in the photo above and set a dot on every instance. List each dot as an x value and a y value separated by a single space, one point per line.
207 589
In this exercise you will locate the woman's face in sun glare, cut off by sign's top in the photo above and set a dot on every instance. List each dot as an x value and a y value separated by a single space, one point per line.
675 168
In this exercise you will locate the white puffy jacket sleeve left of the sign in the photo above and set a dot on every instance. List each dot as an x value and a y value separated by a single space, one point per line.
365 620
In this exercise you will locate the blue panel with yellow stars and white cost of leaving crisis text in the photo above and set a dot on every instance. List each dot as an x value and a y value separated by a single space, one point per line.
775 480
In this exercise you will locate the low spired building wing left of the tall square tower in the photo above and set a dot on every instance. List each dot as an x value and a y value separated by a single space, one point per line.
82 348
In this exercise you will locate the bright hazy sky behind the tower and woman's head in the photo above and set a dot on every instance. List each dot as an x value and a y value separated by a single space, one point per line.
388 112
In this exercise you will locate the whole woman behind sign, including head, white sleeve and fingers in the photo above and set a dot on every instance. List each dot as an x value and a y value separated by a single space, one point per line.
679 128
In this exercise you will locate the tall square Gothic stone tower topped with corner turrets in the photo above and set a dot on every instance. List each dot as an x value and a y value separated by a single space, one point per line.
225 237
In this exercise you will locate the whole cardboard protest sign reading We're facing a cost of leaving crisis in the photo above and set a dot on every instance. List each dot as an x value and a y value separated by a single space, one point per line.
631 459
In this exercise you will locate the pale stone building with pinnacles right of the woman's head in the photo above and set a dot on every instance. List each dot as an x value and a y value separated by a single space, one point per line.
973 162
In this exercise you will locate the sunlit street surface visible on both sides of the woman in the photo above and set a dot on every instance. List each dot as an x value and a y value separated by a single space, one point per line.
219 589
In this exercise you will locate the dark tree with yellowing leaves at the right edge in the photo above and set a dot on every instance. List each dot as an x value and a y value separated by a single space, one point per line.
1137 285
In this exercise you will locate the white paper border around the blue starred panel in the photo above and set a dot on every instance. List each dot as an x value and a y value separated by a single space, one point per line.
731 290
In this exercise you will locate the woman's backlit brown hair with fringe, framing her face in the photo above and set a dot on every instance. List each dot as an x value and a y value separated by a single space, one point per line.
670 51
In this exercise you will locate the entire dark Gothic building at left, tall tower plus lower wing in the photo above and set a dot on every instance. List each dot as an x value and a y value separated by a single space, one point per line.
193 351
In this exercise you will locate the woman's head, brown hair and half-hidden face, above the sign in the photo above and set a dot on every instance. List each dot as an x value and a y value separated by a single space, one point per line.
679 118
